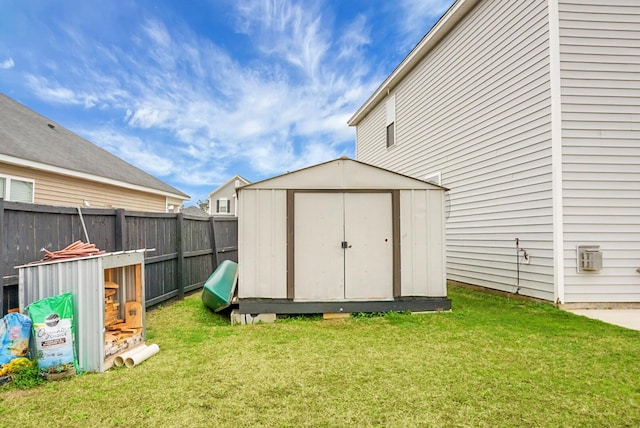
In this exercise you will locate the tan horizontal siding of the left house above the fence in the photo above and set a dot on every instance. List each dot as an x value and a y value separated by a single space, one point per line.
60 190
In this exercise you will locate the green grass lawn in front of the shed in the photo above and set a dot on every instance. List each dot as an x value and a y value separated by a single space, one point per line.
492 361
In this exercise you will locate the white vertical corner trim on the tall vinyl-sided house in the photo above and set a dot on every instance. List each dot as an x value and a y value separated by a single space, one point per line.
556 151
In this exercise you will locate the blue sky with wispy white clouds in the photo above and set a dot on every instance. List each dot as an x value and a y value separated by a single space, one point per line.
194 92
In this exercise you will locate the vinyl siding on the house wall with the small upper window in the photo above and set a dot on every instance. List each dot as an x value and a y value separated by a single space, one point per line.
477 109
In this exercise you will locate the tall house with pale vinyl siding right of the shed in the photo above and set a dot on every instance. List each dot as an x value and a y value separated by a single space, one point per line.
529 111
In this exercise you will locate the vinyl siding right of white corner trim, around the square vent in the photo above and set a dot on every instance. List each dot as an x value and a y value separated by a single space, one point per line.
600 72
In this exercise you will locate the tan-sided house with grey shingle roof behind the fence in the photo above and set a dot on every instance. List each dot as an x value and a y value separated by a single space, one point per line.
42 162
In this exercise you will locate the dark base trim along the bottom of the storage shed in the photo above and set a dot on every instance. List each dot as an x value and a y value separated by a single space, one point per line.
284 306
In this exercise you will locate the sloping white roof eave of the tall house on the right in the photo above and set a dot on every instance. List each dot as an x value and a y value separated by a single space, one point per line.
447 22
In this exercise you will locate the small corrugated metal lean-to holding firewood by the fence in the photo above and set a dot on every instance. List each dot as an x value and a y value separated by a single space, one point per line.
108 301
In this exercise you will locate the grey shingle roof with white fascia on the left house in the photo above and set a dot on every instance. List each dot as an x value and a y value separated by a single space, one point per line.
31 140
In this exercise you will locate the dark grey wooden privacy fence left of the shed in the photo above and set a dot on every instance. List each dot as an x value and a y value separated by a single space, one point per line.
182 250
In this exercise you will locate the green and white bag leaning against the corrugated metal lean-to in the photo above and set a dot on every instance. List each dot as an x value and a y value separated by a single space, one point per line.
54 336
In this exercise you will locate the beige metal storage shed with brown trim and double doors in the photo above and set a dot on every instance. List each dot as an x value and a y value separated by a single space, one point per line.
341 236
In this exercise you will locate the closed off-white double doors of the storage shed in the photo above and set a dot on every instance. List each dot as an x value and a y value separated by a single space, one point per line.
343 246
